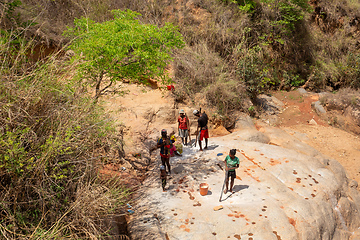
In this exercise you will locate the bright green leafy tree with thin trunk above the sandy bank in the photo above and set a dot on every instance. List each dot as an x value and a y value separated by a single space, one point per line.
123 48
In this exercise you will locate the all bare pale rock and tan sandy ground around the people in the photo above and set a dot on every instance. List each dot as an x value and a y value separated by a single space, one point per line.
291 187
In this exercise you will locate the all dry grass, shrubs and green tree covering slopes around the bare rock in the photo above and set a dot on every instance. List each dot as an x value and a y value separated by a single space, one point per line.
52 135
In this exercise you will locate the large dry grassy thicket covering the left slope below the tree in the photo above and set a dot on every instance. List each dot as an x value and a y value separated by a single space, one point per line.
51 141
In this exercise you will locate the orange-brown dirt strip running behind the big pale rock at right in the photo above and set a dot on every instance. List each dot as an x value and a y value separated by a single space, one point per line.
333 142
